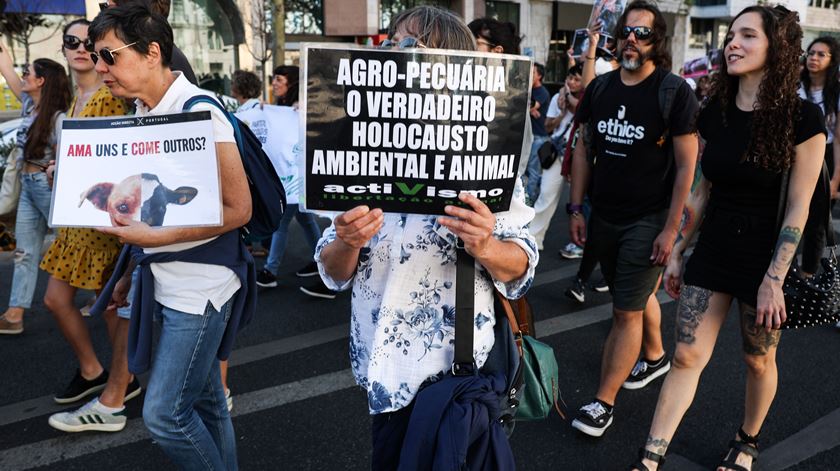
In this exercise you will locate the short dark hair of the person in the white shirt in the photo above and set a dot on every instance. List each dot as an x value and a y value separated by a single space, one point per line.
135 23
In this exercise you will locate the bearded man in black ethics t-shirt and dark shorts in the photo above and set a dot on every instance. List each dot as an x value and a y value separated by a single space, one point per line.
638 183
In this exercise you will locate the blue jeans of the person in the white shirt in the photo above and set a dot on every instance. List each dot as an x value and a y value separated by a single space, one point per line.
185 408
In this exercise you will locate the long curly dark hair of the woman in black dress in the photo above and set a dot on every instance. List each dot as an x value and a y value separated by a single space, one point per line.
778 104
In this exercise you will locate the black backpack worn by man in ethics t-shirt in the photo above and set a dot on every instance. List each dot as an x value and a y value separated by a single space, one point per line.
667 91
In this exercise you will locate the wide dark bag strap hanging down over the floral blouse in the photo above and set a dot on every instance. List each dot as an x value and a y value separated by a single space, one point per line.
464 363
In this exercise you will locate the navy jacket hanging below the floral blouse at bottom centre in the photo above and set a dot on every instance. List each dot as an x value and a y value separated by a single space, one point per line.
455 426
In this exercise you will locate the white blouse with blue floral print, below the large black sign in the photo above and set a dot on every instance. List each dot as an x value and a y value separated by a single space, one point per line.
403 304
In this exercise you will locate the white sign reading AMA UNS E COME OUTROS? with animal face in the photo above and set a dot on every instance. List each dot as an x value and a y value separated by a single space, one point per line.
160 169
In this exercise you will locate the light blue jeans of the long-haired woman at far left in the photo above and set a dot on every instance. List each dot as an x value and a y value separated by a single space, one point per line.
30 228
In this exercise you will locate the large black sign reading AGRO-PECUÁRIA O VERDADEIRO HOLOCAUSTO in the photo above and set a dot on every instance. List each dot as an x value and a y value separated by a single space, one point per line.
408 130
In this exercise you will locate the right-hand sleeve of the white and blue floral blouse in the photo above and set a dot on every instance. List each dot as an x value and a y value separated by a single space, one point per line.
512 226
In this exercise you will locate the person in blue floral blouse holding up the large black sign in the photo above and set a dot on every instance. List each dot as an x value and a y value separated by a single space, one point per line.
402 270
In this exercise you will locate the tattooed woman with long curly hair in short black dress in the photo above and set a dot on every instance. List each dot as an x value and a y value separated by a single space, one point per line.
755 126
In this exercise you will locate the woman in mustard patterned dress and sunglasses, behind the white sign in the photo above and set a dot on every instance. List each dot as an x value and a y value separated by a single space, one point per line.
82 258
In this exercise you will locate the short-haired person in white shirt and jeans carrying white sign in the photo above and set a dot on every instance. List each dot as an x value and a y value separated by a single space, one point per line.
185 408
